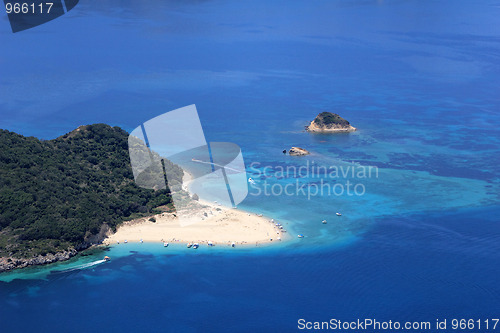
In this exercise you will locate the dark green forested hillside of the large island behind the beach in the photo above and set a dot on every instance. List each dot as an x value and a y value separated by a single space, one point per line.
64 194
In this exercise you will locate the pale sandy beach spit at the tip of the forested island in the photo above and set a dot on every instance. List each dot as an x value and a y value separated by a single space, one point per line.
221 226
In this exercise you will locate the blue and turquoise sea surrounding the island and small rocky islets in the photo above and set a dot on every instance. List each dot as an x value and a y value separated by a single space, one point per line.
419 79
